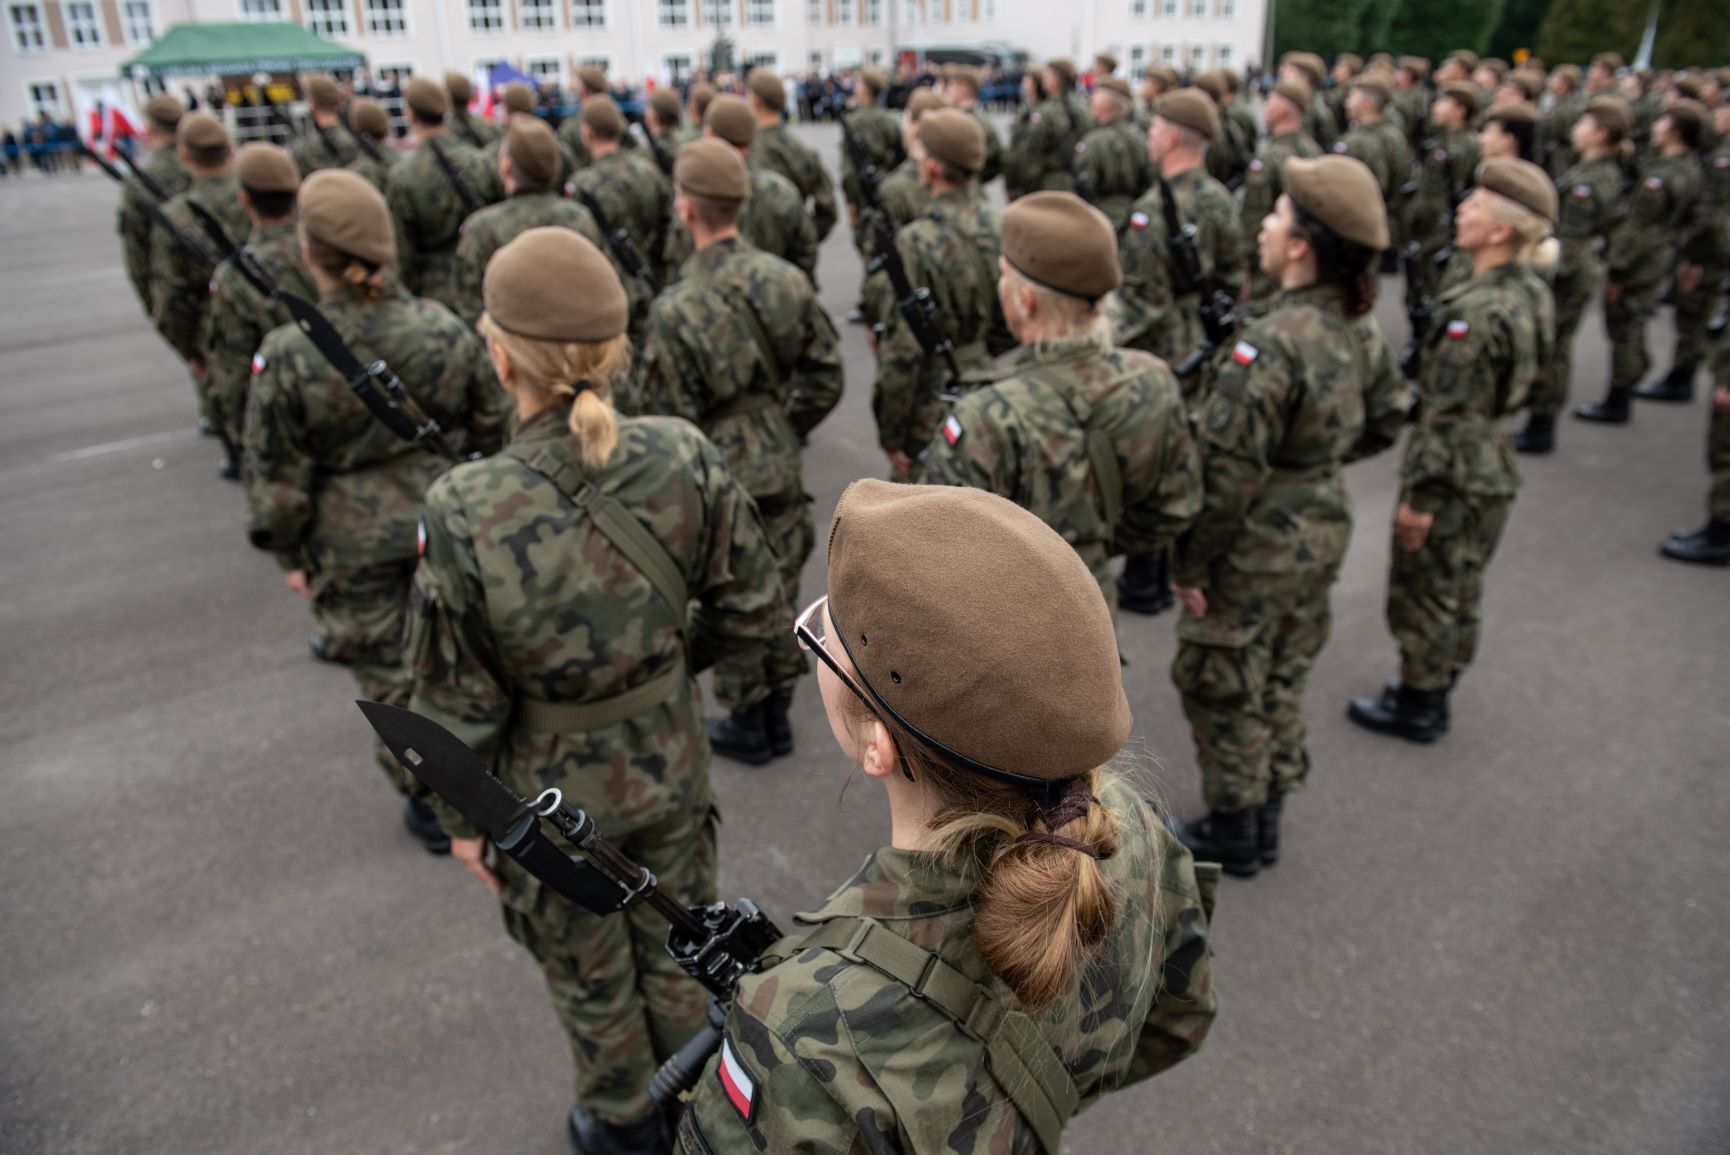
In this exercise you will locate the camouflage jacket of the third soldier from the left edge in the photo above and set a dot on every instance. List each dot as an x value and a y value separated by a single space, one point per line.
241 317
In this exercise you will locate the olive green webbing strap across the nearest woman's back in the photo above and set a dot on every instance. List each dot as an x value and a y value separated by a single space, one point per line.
1032 1075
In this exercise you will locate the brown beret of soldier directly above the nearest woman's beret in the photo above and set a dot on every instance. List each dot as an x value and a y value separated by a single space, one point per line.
1060 241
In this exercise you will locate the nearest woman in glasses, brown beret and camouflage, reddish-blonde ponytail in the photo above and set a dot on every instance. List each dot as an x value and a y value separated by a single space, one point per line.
1034 938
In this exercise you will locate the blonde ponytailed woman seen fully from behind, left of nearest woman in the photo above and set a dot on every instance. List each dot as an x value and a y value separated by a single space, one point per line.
549 632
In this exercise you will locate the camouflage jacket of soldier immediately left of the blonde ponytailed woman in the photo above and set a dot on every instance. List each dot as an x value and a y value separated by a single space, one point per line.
328 485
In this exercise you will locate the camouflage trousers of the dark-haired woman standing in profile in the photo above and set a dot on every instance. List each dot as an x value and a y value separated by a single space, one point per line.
1245 699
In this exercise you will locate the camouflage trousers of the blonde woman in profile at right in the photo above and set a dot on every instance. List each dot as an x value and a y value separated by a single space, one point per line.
1435 596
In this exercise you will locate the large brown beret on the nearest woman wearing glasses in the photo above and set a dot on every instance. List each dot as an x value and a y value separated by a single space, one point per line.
977 627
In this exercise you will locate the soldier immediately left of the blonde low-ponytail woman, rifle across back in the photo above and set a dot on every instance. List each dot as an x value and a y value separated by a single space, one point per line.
335 494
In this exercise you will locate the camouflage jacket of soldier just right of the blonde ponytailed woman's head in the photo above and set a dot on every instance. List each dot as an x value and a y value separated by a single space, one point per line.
703 362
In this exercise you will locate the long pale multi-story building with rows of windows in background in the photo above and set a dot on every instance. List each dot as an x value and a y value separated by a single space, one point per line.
61 56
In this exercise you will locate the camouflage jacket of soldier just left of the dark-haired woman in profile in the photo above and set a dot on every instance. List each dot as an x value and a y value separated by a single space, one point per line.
1157 316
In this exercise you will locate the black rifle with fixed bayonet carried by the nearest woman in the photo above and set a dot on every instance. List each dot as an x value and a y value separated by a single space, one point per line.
715 945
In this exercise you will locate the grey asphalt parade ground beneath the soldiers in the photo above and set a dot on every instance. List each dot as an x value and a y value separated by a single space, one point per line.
219 938
